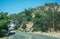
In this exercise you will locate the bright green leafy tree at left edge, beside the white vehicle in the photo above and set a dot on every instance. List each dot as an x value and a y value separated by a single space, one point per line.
4 20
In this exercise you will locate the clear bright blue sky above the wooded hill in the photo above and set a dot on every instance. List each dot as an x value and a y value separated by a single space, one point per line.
16 6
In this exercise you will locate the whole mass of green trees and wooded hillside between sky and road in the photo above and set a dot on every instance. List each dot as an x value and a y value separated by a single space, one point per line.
45 18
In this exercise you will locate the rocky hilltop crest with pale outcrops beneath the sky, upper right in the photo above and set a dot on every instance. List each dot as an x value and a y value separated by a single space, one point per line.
50 5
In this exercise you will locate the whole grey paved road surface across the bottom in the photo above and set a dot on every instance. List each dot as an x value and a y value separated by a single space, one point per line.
23 35
